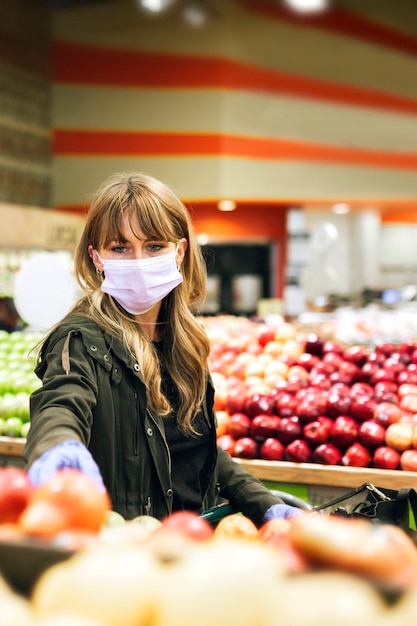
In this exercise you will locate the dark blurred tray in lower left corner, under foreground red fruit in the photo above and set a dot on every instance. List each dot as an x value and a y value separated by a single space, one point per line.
23 561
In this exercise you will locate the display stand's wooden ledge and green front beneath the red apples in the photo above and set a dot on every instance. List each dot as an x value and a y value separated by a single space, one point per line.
318 483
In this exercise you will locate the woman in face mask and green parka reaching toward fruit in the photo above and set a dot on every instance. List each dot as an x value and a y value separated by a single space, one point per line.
126 394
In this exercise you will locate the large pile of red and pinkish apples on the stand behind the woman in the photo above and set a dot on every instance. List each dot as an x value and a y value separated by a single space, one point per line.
282 396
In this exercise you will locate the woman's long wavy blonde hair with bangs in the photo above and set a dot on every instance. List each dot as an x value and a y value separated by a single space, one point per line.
185 346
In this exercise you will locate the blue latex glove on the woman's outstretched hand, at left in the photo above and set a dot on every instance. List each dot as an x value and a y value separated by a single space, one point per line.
69 454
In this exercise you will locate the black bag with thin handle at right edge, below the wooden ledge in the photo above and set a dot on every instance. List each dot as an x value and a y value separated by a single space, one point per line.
386 506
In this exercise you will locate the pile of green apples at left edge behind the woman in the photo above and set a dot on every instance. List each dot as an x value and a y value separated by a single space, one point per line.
17 381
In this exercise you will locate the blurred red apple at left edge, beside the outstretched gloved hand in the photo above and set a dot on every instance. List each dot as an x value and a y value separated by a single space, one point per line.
15 491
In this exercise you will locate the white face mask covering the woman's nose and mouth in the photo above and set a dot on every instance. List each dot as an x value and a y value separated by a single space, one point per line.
139 284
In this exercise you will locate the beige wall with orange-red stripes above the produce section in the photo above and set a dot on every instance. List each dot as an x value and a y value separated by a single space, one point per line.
288 143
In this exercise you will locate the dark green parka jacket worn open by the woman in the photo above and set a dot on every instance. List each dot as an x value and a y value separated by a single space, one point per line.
93 393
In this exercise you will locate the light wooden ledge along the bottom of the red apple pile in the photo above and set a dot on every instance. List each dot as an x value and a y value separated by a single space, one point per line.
328 475
